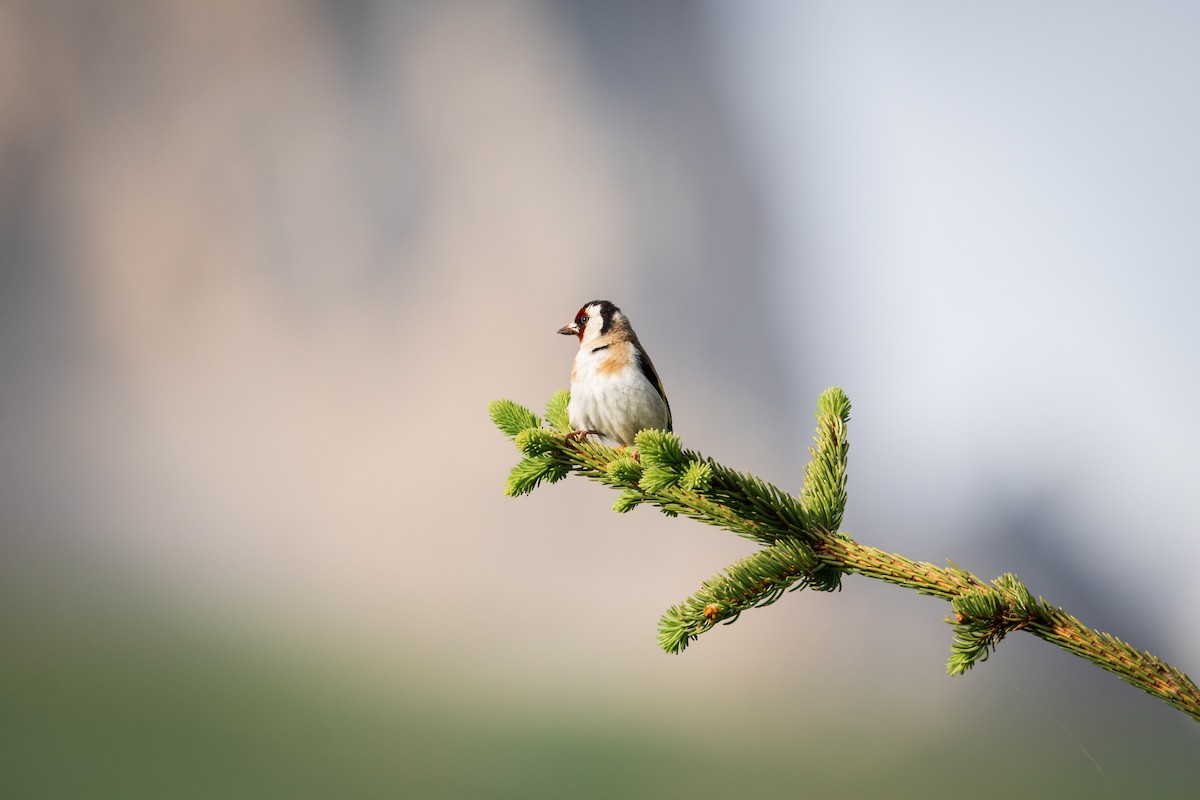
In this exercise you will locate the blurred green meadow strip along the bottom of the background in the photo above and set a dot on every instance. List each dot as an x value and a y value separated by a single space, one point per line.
103 697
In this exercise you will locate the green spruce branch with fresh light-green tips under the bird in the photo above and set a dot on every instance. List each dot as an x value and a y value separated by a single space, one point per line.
802 545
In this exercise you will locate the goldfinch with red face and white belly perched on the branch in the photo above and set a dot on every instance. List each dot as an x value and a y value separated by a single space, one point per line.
615 390
